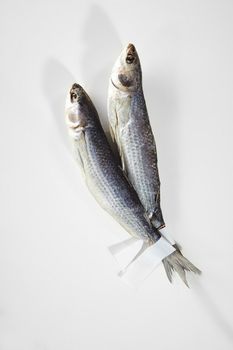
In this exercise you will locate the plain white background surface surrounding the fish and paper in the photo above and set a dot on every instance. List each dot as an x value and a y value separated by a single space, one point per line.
59 288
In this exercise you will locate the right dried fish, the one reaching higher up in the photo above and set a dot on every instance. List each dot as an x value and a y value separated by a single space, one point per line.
131 130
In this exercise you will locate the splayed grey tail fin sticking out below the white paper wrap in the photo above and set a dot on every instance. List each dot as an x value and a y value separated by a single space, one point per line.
177 262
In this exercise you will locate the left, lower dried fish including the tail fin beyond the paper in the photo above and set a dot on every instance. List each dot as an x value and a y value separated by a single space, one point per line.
106 180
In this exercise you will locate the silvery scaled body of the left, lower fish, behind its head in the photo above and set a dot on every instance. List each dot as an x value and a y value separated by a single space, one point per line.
108 184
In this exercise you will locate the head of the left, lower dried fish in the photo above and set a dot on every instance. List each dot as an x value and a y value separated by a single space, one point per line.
76 109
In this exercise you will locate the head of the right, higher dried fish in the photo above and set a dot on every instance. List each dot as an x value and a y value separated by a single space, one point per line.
126 74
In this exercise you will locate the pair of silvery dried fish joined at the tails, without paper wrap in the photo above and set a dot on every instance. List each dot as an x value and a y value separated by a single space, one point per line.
131 193
